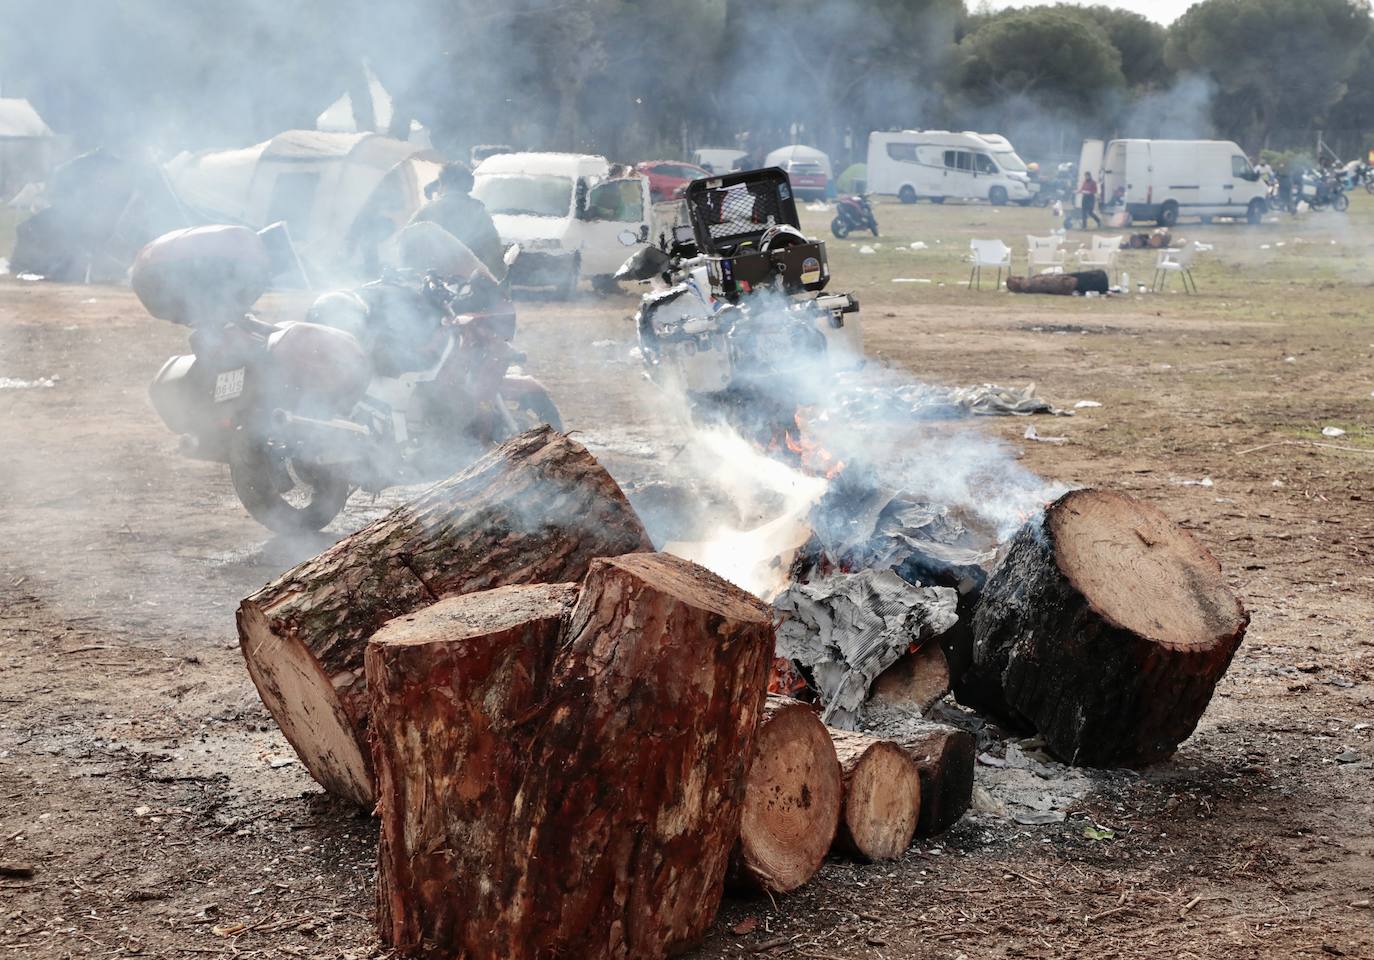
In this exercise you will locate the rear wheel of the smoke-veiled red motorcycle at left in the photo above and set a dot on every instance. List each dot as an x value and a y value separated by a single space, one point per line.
284 495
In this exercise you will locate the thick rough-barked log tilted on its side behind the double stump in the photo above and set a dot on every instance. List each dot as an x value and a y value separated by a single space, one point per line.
539 509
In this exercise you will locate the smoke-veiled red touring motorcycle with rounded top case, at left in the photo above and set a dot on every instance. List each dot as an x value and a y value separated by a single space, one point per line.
401 381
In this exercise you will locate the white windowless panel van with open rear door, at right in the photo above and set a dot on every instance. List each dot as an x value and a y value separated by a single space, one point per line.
1164 181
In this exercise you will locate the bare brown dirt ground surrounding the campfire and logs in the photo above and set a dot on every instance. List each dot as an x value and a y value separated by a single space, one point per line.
164 816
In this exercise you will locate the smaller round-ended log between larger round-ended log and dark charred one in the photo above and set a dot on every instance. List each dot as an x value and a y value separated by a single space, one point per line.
883 797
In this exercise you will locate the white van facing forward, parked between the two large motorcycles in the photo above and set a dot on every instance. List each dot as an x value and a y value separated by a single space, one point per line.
567 212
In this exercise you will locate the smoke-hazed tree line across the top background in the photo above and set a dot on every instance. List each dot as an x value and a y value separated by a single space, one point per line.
634 79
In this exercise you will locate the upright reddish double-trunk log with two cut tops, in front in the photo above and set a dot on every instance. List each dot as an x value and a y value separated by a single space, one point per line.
572 788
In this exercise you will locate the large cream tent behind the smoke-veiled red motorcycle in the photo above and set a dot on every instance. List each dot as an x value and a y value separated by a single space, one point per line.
332 189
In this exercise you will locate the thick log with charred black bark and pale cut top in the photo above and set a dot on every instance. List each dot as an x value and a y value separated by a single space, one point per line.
1107 628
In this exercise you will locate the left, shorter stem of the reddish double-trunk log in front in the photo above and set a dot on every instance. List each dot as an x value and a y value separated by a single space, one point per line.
453 689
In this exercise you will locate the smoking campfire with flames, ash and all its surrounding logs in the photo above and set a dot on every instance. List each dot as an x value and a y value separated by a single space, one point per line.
575 744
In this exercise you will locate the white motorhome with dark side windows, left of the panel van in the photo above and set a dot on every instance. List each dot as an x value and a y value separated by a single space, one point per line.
936 165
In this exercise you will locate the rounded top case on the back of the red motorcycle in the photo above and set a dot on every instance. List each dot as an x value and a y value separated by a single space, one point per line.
201 274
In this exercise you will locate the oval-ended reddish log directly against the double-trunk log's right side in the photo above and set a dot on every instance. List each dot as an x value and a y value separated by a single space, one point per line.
792 800
